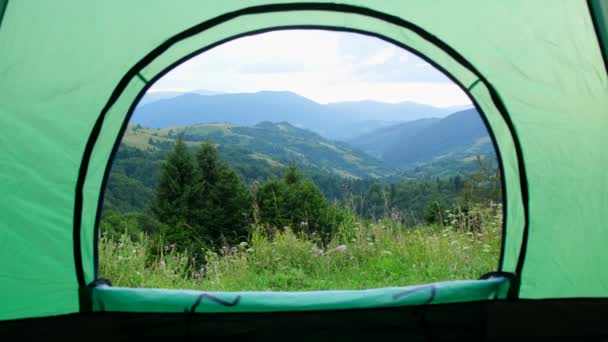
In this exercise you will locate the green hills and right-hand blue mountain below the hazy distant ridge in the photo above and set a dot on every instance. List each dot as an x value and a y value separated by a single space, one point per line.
419 149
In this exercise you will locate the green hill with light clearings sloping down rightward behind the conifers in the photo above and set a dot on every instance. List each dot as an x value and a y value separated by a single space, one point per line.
256 153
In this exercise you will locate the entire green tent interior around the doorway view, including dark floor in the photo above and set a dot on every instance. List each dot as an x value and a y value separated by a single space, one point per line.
72 71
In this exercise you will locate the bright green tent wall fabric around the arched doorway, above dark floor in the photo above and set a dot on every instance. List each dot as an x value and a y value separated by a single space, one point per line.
71 72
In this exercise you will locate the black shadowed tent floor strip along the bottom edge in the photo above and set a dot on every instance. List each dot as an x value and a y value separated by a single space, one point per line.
565 319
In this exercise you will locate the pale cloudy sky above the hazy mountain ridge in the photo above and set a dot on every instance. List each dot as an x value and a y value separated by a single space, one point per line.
320 65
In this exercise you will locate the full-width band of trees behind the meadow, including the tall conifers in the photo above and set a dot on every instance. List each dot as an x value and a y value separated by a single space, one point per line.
198 201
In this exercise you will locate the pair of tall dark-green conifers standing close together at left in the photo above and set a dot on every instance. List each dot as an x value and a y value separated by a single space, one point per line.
199 199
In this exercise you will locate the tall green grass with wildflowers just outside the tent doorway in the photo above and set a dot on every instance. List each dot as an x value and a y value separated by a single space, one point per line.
361 255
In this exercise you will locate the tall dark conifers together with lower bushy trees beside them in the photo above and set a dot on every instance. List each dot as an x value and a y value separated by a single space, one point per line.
200 202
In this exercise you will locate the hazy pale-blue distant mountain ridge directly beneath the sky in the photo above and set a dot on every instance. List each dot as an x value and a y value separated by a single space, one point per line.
337 121
